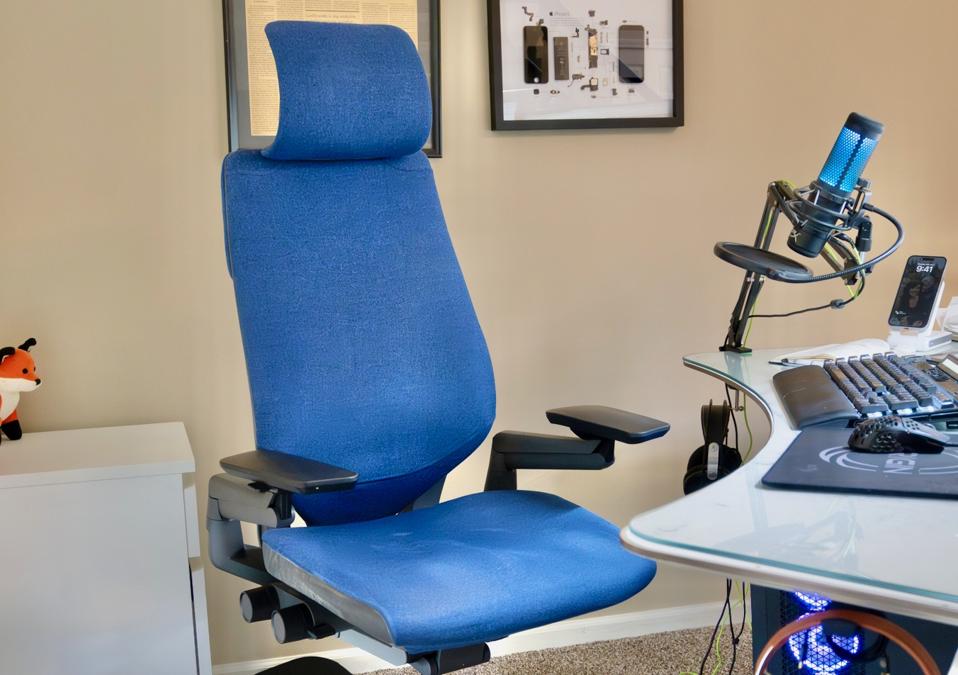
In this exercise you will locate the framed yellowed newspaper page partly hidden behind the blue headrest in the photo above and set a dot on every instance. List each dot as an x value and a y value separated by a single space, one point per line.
252 88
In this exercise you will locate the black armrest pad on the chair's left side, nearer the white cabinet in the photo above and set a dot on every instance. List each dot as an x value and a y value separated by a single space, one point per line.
288 472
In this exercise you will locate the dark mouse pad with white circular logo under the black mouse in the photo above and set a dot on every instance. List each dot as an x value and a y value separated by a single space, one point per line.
819 459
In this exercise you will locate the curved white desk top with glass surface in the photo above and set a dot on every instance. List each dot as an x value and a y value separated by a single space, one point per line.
890 553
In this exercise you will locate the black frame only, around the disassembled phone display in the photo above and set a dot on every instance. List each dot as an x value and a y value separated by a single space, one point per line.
677 119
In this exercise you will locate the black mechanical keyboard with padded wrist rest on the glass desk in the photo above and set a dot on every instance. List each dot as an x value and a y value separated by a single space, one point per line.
863 387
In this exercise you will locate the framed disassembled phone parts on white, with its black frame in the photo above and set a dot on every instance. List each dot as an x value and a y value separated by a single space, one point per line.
585 64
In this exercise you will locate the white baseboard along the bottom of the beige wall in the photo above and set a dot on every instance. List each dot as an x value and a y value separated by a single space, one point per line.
562 634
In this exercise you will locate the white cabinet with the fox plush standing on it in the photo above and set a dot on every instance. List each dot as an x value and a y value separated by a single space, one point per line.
99 554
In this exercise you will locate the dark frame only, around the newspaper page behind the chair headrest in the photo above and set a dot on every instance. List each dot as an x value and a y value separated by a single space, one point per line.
237 78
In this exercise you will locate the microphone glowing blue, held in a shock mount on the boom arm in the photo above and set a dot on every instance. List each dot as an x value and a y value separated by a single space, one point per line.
836 182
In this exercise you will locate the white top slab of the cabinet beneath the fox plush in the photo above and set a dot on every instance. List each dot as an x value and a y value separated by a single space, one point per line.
79 455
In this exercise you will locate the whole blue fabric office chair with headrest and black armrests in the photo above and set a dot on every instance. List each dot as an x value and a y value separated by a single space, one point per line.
364 353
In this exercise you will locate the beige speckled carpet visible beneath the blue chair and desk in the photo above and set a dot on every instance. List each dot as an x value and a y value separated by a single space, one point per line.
659 654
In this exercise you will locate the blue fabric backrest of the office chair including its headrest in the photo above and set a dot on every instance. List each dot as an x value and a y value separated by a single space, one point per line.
362 346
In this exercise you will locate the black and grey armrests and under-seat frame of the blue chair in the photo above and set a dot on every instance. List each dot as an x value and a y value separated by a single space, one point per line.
258 485
